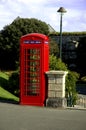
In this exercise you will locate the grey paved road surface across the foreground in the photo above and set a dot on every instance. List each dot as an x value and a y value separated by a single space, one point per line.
17 117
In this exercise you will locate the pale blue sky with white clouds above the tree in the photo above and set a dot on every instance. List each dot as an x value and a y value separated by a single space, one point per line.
46 10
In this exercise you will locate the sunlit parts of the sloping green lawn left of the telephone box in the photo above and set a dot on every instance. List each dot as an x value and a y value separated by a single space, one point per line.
4 94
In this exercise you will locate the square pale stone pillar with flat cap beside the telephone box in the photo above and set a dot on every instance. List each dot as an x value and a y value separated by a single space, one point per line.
56 89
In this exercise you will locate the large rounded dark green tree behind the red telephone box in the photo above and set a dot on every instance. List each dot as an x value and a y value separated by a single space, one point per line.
10 38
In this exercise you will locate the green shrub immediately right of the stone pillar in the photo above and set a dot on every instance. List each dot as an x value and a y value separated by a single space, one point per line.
71 93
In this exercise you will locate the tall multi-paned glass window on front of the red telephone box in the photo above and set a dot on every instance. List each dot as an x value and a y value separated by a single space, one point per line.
32 72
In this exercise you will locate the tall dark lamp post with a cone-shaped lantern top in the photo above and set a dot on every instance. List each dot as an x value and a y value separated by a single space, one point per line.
61 11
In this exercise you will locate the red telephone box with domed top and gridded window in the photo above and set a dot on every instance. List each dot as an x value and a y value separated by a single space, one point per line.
34 62
